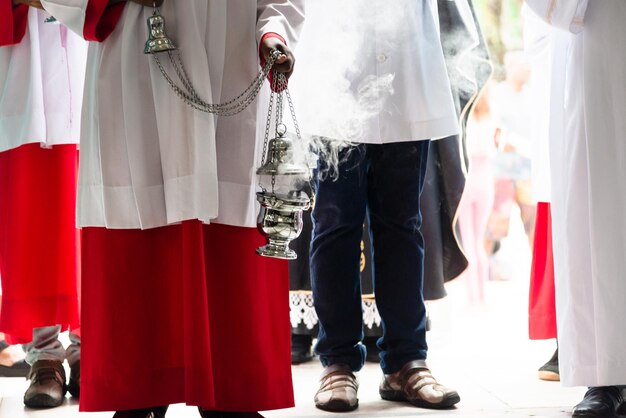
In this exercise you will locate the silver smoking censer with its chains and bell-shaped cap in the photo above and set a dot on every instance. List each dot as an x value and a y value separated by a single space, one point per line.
280 215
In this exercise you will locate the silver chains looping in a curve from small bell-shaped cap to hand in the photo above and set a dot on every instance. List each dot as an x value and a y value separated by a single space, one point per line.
189 95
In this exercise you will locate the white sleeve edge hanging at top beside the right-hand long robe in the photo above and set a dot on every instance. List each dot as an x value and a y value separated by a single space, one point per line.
563 14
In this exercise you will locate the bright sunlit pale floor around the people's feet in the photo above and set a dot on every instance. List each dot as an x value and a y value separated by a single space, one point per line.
482 351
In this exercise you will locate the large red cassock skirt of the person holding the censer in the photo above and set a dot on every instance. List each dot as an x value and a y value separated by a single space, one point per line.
183 313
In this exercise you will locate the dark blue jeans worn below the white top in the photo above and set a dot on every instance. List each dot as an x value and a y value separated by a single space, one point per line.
383 182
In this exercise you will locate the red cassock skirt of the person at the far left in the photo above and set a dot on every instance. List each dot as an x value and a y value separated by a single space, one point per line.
38 239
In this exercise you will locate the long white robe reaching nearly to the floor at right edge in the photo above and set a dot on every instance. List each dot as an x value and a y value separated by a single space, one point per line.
588 168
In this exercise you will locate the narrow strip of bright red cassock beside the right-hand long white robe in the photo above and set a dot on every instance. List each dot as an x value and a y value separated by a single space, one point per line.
542 309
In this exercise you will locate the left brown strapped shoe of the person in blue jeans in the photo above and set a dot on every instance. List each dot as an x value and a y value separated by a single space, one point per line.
338 389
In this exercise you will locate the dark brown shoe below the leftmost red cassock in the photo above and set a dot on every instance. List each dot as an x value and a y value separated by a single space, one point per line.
47 385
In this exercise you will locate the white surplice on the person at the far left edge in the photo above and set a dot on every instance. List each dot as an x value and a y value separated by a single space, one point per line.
41 81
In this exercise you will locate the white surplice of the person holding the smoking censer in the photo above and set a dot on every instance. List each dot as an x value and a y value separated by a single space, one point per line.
149 160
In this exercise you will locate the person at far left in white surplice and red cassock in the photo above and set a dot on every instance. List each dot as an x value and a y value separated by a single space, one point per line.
42 68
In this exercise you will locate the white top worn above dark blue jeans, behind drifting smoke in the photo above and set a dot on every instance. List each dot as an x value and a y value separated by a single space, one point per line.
373 72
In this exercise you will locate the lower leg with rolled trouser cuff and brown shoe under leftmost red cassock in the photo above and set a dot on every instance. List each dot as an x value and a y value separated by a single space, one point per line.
45 354
